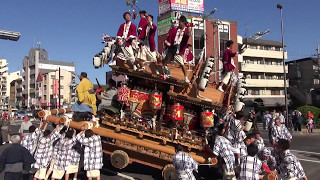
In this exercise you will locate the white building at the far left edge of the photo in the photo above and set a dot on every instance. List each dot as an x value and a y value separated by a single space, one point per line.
5 79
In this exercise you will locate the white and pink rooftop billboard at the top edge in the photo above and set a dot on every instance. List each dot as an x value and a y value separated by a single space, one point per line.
195 6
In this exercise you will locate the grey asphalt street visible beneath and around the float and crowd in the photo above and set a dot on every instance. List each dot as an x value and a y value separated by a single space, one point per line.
305 146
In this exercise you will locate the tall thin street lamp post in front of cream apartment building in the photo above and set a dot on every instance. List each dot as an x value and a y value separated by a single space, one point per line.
279 6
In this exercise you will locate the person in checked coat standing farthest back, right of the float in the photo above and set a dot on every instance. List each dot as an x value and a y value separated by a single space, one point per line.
279 131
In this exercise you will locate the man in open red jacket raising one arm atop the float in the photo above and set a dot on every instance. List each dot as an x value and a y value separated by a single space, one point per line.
177 43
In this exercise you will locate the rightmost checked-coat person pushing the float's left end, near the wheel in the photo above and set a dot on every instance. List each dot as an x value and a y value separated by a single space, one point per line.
92 153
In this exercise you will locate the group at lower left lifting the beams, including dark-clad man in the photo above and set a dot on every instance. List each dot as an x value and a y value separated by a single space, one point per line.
54 153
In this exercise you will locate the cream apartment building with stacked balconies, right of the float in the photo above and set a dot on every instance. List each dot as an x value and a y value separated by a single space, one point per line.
262 66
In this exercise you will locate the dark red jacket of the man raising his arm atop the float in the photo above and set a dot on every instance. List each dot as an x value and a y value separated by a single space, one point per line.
184 42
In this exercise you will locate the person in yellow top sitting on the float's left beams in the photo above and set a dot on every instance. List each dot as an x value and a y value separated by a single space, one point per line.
86 98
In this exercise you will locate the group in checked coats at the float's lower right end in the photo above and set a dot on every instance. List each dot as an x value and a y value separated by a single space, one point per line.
243 155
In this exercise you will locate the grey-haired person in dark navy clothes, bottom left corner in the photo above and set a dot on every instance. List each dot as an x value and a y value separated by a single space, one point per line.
15 159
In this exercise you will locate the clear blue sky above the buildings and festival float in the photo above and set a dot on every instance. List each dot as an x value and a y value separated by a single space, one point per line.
70 30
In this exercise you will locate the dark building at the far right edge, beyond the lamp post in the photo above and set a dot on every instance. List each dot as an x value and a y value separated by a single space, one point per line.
304 75
